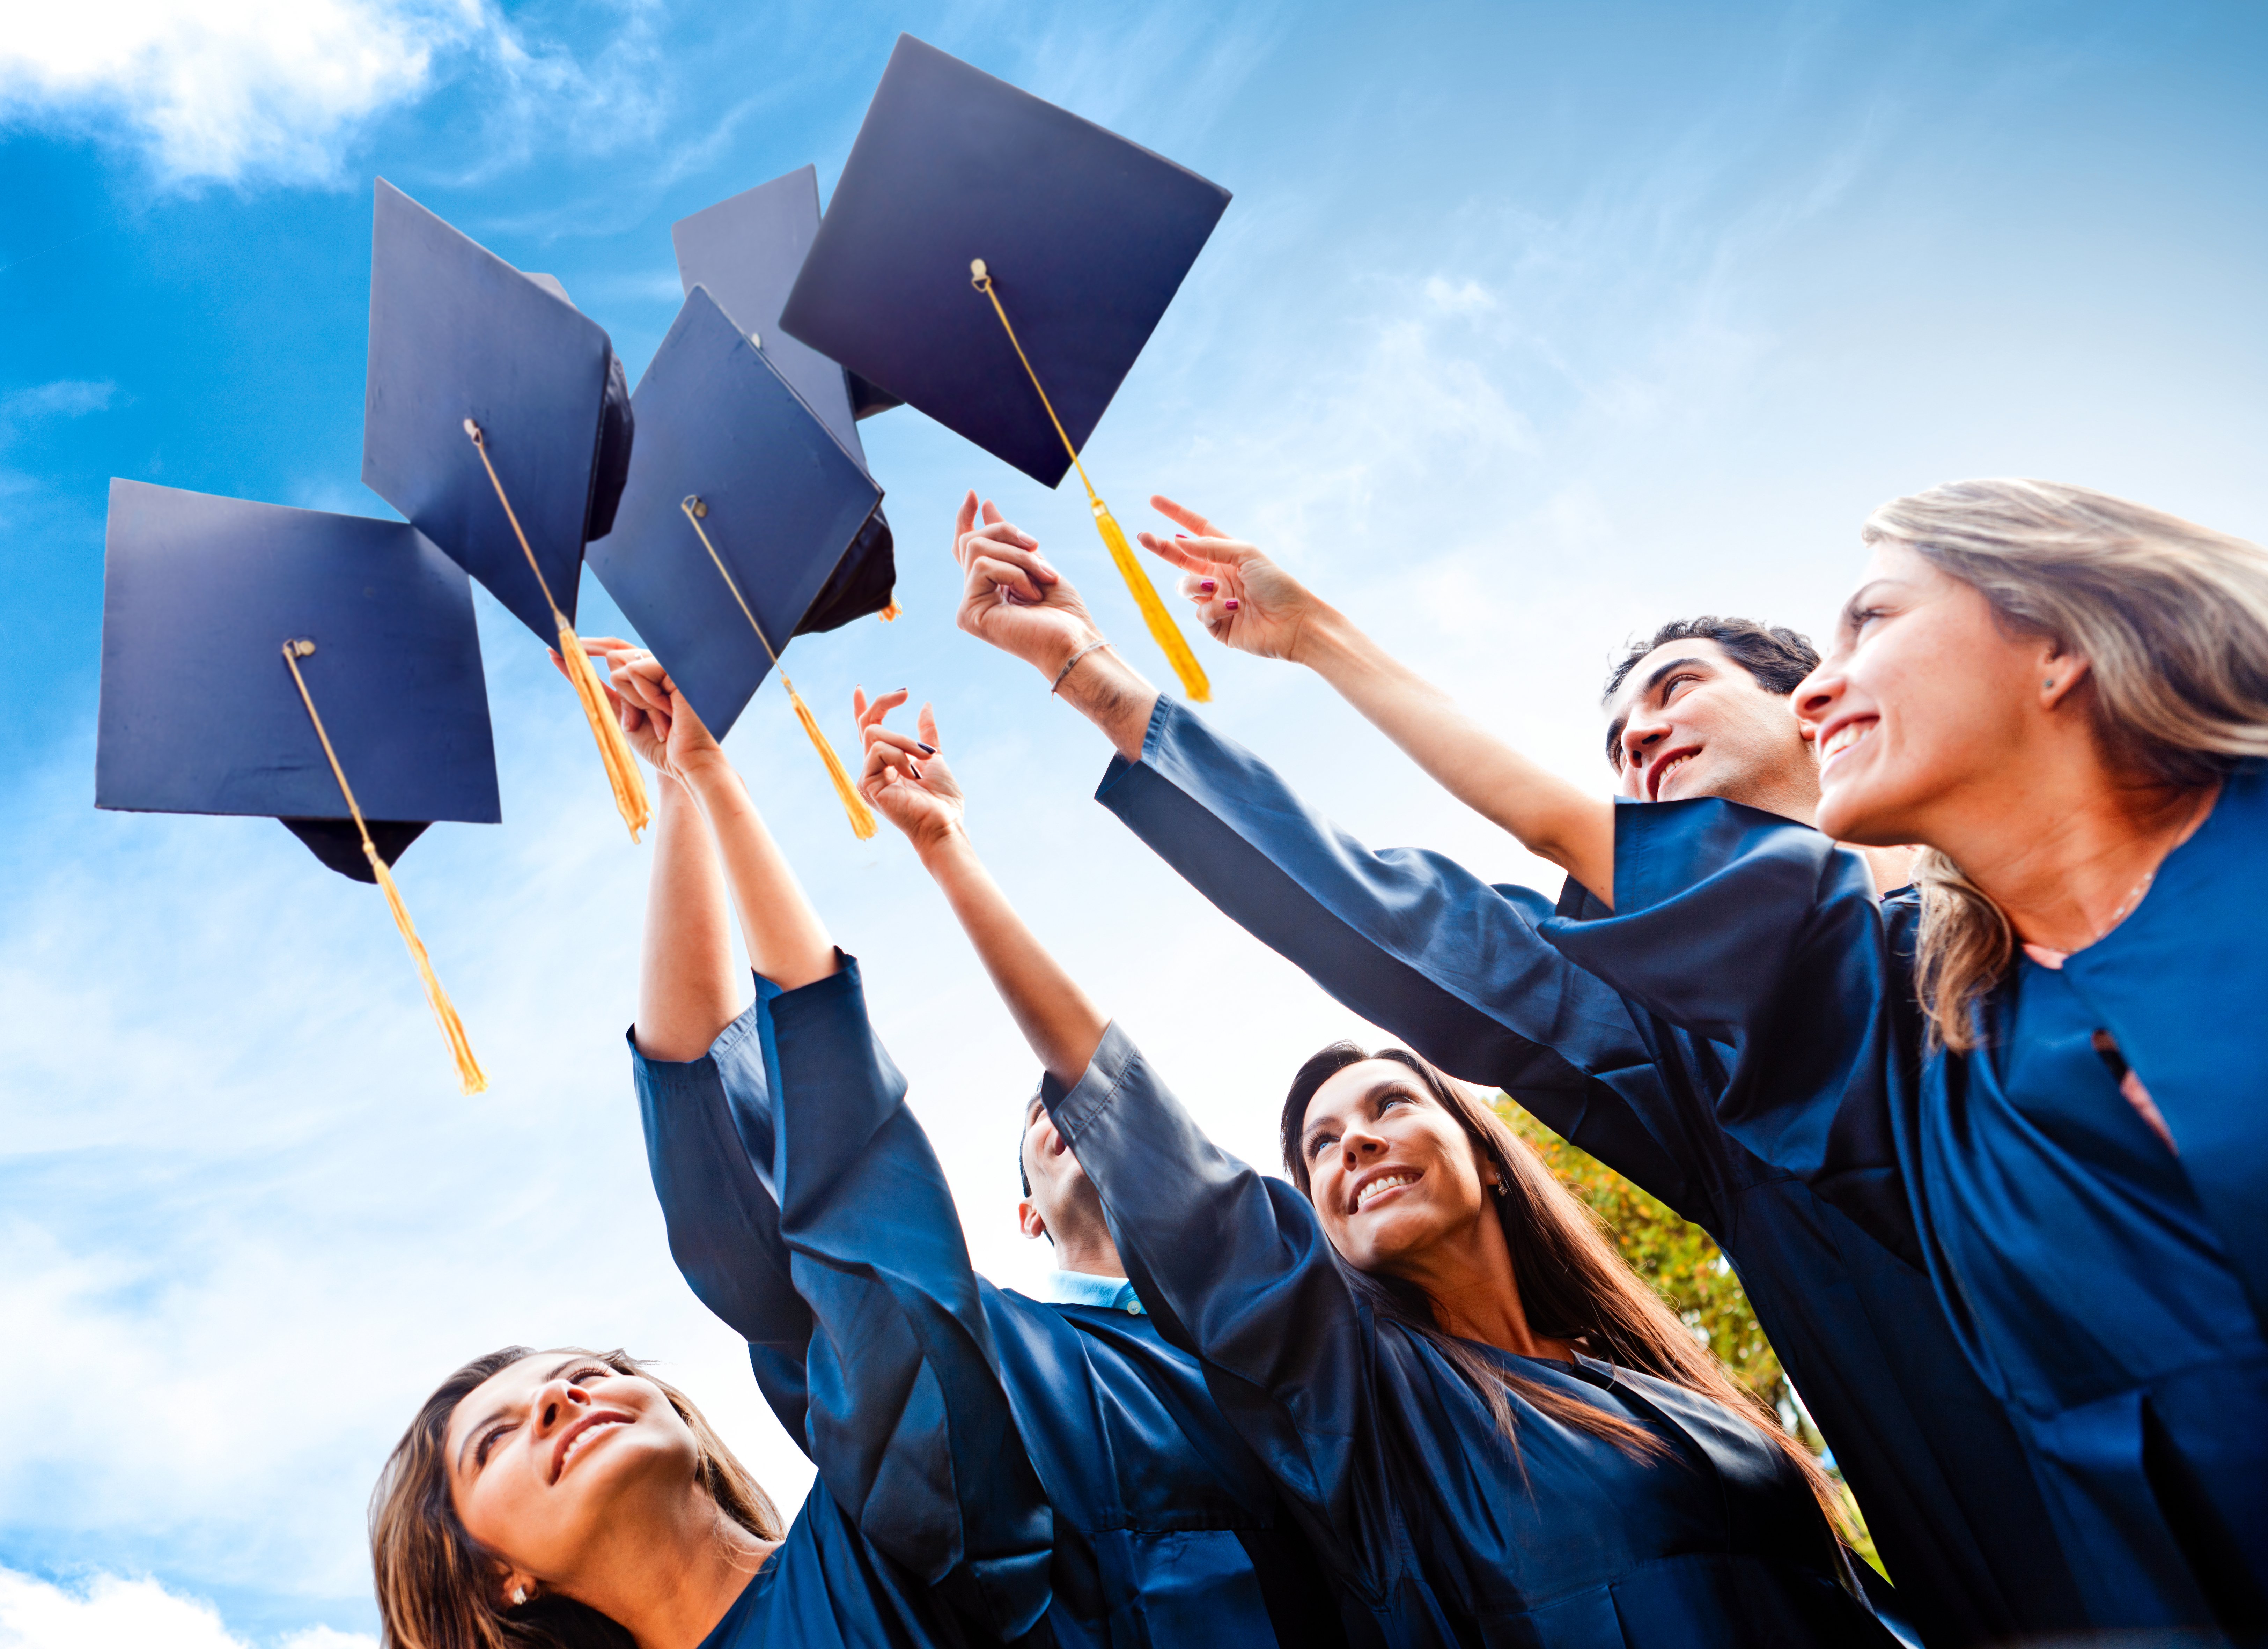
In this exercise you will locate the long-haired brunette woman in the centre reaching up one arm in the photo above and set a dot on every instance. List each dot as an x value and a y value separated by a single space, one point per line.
1489 1428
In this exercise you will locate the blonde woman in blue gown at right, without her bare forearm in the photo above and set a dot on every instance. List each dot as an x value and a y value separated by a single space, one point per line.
2047 1072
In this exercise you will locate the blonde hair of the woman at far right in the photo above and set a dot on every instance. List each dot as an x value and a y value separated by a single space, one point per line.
2174 625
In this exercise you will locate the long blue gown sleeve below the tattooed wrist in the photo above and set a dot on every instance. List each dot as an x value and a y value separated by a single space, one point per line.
1410 940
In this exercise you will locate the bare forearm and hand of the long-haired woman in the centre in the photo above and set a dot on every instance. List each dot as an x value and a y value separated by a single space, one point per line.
908 781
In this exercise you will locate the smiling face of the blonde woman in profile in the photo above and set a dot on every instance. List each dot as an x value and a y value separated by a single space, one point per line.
1924 702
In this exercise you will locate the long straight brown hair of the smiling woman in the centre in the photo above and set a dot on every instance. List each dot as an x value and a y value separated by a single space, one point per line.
1573 1283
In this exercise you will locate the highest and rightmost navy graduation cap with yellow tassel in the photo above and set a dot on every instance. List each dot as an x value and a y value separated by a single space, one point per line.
999 264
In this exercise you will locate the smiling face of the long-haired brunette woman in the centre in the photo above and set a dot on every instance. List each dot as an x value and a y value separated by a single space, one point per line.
1391 1174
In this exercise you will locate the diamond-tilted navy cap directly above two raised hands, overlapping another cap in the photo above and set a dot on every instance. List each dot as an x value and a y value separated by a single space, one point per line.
738 514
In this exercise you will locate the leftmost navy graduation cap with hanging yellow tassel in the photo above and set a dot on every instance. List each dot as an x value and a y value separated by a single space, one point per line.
314 668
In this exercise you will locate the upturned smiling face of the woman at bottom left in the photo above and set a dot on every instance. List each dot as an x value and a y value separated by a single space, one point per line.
555 1453
